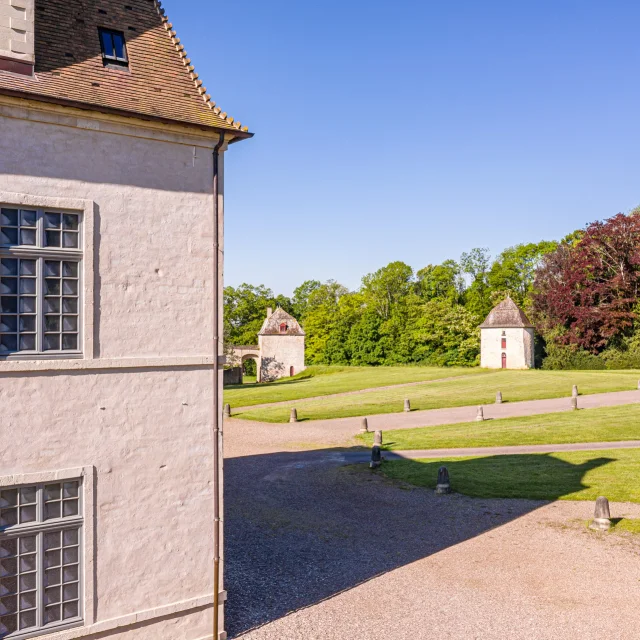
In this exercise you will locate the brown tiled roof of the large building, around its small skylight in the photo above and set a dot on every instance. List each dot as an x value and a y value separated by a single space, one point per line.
162 83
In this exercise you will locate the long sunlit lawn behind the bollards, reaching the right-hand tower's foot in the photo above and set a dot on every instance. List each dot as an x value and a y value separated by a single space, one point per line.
469 390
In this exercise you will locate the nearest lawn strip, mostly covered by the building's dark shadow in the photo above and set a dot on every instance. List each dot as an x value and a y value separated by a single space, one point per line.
578 475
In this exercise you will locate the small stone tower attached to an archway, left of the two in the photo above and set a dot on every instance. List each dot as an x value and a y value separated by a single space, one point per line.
281 343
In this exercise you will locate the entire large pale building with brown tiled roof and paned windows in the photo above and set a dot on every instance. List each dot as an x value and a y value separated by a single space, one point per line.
111 219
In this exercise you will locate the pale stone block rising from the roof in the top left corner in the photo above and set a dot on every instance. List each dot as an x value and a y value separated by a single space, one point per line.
17 30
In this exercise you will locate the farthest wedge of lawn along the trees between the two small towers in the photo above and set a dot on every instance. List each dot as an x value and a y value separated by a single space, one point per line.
321 381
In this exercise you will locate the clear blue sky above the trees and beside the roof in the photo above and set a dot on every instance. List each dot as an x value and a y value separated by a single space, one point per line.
414 130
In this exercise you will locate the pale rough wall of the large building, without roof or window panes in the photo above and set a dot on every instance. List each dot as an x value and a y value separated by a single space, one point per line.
133 414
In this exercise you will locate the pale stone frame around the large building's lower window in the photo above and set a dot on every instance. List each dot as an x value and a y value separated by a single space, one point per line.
87 575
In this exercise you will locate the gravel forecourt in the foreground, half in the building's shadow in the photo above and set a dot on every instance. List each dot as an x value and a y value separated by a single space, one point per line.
317 550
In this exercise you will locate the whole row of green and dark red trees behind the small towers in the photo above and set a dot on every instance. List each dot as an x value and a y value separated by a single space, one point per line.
580 292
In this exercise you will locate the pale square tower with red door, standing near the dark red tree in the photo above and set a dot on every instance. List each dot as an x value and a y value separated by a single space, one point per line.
506 338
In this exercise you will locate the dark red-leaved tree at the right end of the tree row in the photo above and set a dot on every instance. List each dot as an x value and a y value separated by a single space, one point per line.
585 294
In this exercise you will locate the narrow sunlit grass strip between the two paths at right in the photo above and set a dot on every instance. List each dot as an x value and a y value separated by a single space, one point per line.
605 424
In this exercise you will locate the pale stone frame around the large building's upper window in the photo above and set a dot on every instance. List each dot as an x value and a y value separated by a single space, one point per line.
86 209
